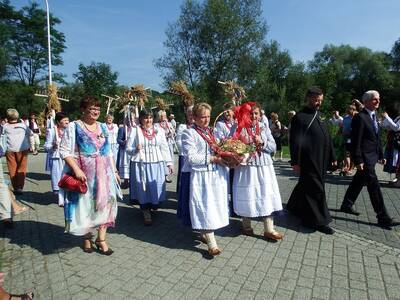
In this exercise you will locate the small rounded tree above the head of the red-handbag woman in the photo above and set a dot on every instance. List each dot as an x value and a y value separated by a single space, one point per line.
97 79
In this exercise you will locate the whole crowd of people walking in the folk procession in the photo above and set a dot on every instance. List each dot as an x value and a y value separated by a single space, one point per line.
103 158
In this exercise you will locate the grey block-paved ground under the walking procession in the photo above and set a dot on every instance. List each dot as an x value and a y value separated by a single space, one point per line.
361 261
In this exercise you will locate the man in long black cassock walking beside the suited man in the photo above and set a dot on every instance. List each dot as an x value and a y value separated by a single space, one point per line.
311 153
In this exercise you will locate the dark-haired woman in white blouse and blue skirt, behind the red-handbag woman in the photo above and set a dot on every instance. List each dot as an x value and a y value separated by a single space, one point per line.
150 156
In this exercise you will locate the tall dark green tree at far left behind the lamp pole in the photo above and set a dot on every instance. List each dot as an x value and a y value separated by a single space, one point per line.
26 44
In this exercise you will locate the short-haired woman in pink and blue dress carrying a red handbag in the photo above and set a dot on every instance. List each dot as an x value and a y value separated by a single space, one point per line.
86 149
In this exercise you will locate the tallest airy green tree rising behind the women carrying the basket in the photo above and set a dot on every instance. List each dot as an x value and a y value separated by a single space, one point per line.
211 41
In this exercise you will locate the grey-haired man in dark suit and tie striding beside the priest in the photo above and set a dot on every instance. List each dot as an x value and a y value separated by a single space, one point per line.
366 151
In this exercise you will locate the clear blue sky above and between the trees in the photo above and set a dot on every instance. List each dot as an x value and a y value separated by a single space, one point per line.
129 34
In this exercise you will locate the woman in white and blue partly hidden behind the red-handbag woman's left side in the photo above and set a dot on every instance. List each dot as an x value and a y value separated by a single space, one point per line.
52 147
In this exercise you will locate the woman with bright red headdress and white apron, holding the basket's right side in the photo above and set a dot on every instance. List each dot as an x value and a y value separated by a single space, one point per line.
255 187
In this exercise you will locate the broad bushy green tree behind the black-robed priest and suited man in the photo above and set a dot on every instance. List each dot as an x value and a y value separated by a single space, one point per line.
344 73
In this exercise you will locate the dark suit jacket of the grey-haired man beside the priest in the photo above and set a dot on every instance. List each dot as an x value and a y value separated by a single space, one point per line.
366 144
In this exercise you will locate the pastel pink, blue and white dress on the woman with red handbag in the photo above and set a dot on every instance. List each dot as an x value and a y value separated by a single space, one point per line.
97 208
